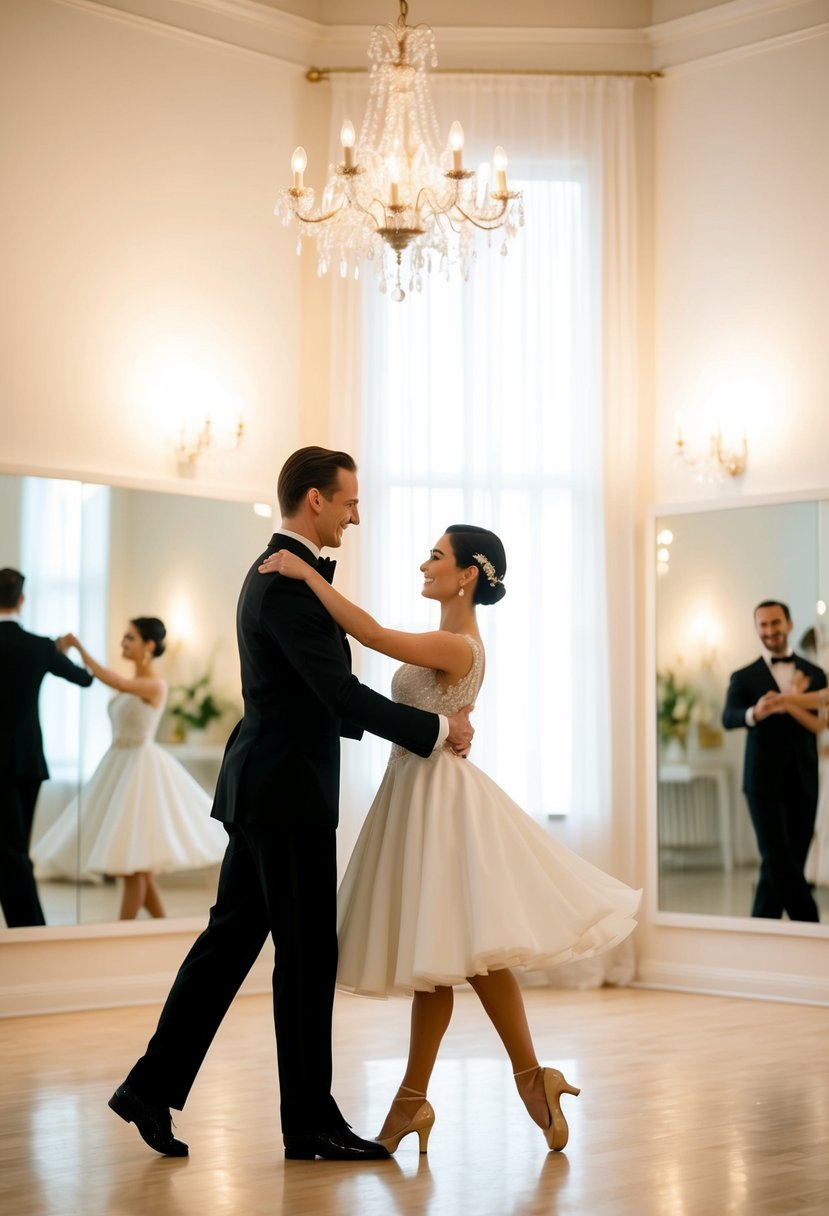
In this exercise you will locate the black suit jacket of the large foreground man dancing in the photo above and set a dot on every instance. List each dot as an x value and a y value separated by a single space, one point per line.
300 699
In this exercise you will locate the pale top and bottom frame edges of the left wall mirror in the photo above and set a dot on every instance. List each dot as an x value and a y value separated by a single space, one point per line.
193 488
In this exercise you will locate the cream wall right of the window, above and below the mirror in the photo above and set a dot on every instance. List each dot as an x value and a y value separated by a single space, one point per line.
742 262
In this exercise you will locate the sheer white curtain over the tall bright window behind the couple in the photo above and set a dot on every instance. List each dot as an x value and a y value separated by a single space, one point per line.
505 403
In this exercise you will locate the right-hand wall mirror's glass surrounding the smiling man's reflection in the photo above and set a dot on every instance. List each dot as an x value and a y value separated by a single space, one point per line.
713 568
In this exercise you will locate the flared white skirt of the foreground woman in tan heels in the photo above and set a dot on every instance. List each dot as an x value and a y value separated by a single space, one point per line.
450 879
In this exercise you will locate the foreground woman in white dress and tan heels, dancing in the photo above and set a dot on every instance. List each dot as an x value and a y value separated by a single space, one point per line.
450 881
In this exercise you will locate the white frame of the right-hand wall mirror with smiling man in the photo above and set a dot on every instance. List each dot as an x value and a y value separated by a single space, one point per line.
696 920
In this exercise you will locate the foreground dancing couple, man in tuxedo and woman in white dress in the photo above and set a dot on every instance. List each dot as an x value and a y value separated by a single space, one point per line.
450 882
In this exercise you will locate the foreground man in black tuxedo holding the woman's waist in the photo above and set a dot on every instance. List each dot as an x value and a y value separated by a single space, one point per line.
278 795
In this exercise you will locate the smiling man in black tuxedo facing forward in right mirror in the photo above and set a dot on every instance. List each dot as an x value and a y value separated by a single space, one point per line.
781 770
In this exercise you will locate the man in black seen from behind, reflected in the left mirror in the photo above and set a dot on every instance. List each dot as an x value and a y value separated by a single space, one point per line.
25 661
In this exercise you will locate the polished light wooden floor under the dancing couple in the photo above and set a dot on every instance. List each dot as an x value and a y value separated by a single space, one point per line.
690 1105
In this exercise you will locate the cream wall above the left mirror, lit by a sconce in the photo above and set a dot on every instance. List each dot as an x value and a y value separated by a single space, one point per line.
150 280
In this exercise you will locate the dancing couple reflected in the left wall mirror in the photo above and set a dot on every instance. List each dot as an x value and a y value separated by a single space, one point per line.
139 814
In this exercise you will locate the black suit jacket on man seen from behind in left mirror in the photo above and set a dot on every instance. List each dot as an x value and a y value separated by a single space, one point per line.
25 661
